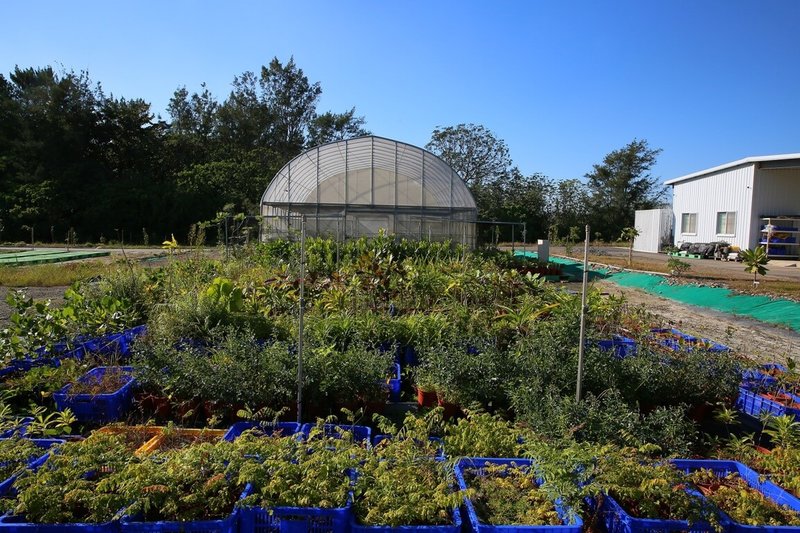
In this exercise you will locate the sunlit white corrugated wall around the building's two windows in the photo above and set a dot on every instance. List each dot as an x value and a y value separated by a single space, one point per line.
728 190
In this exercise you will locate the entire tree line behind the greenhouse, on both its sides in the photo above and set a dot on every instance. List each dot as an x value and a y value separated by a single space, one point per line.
80 165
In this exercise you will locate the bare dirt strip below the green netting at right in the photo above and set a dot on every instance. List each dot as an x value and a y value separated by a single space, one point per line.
757 340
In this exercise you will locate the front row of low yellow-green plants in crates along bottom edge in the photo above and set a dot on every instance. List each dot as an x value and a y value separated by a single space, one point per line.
276 477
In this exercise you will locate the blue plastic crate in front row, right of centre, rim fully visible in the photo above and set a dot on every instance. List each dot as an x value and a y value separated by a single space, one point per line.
475 464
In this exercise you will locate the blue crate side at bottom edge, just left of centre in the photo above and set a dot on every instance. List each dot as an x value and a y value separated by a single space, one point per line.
294 519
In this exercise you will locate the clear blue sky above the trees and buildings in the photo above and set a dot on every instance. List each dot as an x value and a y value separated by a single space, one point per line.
562 82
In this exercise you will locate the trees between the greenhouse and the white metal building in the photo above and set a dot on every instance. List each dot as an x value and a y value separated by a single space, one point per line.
606 198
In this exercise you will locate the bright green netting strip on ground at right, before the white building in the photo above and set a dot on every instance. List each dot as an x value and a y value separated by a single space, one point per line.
776 311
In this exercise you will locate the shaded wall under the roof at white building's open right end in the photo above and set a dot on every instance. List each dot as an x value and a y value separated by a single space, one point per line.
776 192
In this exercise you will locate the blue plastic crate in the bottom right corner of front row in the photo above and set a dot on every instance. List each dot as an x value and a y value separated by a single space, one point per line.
767 488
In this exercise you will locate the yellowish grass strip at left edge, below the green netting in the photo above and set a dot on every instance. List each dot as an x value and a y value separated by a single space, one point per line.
52 275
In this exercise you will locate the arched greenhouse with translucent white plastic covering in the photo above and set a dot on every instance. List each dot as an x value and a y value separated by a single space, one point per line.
357 187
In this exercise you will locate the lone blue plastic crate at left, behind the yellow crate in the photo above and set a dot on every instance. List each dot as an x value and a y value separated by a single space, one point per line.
98 408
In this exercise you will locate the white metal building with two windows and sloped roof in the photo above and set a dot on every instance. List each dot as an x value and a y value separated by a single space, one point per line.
748 202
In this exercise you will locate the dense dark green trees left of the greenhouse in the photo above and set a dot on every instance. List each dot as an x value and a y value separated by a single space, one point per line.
79 165
